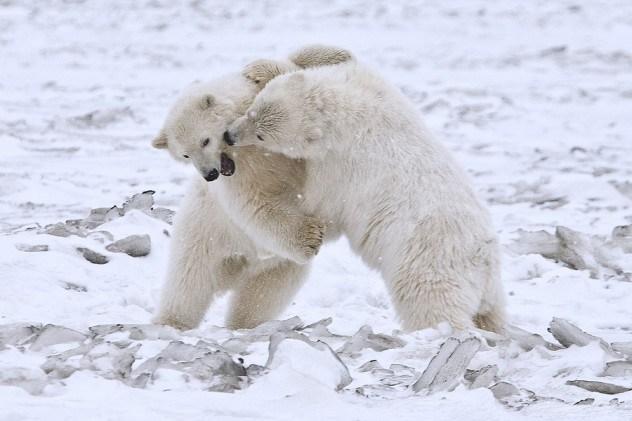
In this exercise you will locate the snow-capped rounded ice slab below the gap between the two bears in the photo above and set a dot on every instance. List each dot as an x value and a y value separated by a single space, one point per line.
313 359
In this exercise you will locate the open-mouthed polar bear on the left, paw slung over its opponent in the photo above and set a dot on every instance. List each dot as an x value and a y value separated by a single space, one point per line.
245 232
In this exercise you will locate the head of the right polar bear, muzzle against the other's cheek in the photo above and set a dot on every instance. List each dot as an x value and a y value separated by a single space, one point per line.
285 117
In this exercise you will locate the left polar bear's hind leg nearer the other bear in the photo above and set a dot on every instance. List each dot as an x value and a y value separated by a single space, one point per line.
265 293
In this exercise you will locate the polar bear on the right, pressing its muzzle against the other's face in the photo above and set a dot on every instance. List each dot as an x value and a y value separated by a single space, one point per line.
375 171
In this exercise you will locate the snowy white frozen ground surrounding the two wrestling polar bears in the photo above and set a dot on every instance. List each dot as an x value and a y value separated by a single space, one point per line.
535 100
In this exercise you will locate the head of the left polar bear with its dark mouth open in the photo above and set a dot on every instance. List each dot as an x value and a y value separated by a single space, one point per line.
193 131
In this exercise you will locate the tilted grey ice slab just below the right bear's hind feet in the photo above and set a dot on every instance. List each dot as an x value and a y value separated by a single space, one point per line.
447 367
